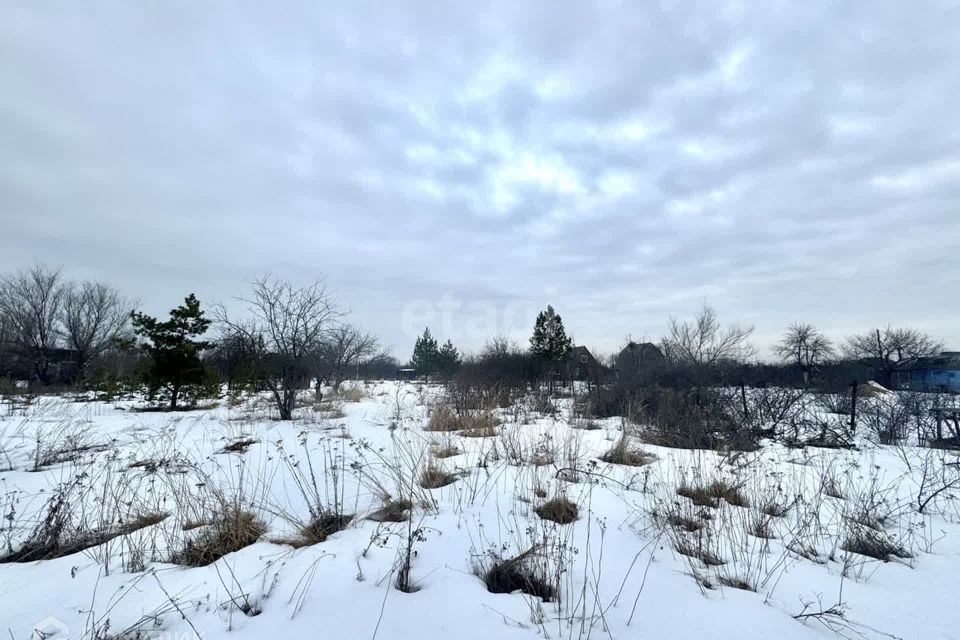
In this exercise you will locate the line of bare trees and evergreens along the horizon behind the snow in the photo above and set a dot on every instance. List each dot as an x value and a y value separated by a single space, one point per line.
55 330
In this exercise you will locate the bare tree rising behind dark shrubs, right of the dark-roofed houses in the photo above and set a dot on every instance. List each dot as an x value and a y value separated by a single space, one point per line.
703 343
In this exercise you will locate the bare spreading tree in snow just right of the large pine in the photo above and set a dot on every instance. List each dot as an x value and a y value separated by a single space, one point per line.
286 329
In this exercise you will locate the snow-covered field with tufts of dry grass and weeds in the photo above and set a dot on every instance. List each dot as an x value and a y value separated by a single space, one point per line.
640 561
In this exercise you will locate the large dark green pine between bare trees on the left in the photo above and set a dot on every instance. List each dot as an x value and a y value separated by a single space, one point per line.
174 352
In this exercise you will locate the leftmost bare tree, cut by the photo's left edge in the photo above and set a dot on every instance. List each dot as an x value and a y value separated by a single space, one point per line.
31 300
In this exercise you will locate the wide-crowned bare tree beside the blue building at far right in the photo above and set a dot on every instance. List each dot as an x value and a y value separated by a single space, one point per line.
888 351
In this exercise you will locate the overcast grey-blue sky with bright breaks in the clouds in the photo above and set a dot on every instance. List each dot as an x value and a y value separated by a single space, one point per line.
463 164
